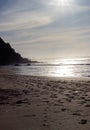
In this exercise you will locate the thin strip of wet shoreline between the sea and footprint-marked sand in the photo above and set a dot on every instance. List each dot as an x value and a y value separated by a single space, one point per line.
12 71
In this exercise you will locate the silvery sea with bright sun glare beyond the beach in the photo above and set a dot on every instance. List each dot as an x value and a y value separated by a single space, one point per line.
69 68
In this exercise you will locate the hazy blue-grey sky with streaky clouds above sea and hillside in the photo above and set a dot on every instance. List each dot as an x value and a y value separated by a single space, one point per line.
46 29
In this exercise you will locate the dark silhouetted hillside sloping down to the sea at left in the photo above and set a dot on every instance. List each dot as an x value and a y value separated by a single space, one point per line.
8 54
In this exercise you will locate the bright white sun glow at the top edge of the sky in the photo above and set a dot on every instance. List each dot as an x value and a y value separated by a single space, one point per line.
61 6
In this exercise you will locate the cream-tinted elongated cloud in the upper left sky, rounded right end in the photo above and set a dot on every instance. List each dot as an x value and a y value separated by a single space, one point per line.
25 21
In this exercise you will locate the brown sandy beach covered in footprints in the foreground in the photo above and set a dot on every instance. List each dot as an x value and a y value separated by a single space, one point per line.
39 103
